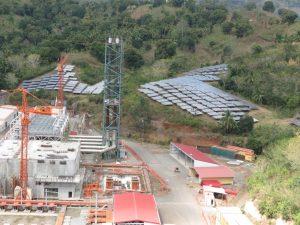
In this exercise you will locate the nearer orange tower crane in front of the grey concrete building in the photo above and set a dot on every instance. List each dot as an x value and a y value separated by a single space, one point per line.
25 121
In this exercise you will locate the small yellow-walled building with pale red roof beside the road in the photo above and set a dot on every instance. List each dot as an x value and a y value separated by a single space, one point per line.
221 173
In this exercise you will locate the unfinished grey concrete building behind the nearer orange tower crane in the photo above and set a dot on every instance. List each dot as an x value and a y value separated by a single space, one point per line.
53 168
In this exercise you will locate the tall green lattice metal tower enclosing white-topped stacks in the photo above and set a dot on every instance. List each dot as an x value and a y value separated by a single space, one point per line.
112 93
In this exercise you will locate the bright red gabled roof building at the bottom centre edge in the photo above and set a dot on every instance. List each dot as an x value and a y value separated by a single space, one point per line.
135 207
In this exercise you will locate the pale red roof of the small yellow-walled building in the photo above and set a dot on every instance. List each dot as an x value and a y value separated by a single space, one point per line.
214 172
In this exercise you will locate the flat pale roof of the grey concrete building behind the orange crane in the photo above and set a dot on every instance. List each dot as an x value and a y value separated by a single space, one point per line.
40 150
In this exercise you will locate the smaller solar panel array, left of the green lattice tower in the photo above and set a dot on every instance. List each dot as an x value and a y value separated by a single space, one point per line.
71 84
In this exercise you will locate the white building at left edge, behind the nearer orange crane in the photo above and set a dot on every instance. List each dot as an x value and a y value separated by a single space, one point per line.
7 115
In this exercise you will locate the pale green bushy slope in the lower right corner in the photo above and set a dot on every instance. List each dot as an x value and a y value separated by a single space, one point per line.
276 183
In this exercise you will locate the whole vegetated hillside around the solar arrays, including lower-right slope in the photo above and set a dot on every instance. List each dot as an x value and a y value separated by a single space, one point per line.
163 41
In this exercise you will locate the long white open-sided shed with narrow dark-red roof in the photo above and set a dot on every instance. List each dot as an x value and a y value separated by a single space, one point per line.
192 156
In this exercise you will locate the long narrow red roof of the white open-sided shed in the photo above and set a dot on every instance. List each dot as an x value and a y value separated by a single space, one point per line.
194 153
